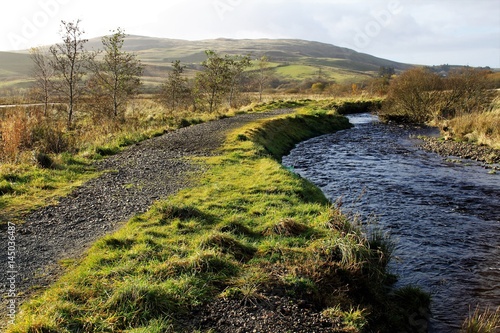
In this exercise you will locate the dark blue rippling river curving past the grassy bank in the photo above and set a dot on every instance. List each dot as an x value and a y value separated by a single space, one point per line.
444 216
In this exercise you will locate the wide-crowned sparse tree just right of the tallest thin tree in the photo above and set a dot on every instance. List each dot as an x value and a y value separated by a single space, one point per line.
119 73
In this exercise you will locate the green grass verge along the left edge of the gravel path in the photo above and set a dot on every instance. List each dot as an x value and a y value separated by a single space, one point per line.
27 186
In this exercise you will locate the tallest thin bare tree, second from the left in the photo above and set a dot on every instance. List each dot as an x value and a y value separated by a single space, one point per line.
68 61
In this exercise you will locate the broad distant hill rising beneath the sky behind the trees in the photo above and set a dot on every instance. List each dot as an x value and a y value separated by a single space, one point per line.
293 59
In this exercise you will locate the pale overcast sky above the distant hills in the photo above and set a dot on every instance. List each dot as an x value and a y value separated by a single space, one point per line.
430 32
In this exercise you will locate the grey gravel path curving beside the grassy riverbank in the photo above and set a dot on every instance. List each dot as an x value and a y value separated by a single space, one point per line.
140 175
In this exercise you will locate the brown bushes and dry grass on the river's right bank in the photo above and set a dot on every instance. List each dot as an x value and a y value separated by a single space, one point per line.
464 104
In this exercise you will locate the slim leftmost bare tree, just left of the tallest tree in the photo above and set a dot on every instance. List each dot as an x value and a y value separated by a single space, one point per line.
43 74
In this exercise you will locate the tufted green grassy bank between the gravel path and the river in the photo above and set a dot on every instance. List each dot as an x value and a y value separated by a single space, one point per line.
250 228
